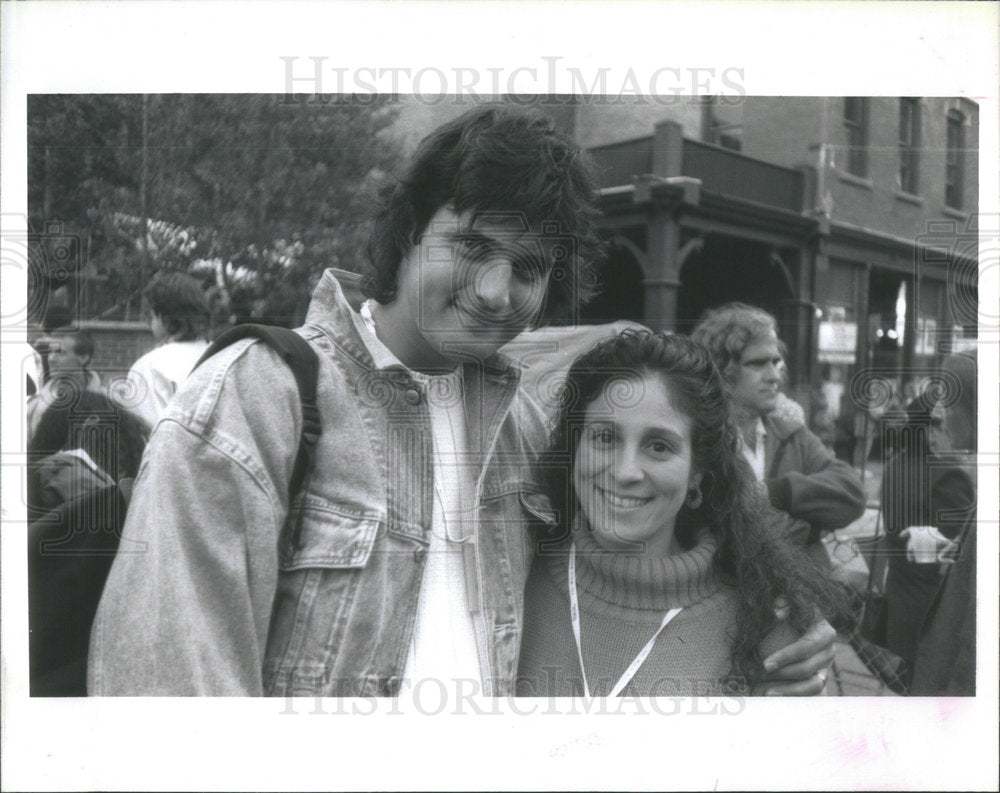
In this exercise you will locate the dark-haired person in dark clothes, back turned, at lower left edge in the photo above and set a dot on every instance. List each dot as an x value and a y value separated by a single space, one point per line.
80 460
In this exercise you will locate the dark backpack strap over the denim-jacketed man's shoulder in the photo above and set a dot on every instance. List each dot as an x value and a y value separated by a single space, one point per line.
302 359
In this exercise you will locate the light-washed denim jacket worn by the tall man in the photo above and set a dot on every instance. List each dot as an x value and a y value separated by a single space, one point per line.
212 597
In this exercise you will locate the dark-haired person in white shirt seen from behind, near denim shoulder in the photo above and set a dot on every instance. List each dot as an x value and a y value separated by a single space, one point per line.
180 321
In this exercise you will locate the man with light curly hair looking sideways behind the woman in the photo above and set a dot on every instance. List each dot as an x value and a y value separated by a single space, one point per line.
802 476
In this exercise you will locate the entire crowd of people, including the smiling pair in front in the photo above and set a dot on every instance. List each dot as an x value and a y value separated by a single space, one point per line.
660 534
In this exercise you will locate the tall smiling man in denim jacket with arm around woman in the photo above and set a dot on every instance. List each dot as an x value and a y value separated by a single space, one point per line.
412 547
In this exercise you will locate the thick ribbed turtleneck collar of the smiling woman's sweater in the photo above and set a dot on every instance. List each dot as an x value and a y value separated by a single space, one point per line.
636 582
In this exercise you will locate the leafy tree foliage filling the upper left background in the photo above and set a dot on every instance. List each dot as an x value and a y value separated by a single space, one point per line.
256 194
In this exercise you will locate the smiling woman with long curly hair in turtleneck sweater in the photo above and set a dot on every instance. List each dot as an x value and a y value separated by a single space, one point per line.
665 570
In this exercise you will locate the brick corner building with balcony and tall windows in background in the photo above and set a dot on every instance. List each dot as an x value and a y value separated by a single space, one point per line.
852 219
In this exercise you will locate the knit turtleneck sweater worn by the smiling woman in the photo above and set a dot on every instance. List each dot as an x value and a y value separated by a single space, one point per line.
623 599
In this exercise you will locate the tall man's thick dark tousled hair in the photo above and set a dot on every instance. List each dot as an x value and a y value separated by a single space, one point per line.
502 159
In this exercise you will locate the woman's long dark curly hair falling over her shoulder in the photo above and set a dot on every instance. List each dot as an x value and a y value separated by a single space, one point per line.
753 557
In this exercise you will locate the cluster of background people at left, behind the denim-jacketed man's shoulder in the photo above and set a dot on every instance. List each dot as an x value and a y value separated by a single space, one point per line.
85 444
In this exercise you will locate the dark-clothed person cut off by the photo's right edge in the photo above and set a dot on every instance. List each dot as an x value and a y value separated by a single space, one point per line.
945 659
